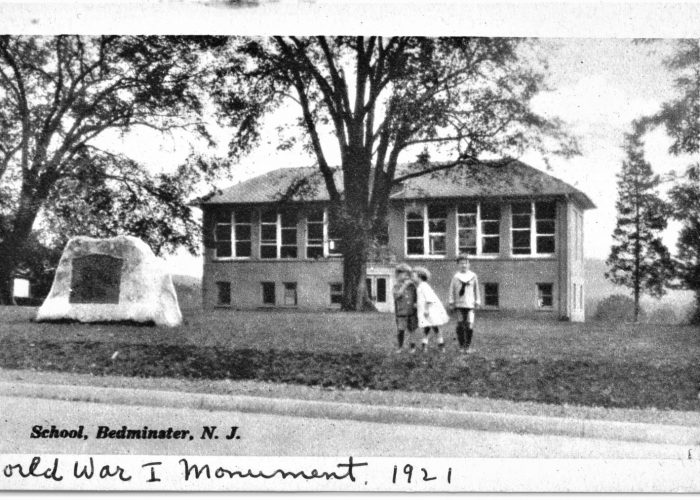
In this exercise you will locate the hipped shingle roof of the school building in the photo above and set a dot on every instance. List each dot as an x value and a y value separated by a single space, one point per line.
509 178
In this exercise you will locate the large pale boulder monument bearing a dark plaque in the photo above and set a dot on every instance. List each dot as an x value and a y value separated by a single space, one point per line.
111 279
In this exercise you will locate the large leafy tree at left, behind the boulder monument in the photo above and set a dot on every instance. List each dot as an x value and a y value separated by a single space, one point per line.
58 95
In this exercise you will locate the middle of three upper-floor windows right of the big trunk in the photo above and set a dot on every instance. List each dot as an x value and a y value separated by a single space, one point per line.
478 228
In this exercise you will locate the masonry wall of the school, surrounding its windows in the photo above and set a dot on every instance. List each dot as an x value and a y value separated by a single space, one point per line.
517 277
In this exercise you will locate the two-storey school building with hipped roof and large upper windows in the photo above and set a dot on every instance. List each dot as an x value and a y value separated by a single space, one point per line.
522 228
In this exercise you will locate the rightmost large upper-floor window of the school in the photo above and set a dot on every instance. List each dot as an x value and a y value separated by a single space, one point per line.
533 228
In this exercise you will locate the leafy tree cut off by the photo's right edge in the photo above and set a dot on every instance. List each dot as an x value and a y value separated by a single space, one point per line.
680 117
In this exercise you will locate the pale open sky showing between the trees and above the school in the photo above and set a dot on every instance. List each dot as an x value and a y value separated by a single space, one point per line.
598 86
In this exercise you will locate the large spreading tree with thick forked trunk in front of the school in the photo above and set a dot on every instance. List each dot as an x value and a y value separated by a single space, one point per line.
385 100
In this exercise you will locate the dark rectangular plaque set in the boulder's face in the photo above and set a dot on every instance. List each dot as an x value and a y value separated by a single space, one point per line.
96 280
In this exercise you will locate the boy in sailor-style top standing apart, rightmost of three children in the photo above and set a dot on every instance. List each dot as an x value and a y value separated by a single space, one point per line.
464 297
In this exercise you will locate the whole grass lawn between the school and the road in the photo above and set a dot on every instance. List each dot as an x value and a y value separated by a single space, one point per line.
591 364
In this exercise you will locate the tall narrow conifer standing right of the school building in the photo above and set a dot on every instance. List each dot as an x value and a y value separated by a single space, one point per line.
638 258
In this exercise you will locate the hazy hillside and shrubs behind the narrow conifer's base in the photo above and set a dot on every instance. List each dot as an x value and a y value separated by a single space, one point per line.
598 287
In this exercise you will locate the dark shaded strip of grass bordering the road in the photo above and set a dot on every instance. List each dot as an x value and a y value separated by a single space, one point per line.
559 381
